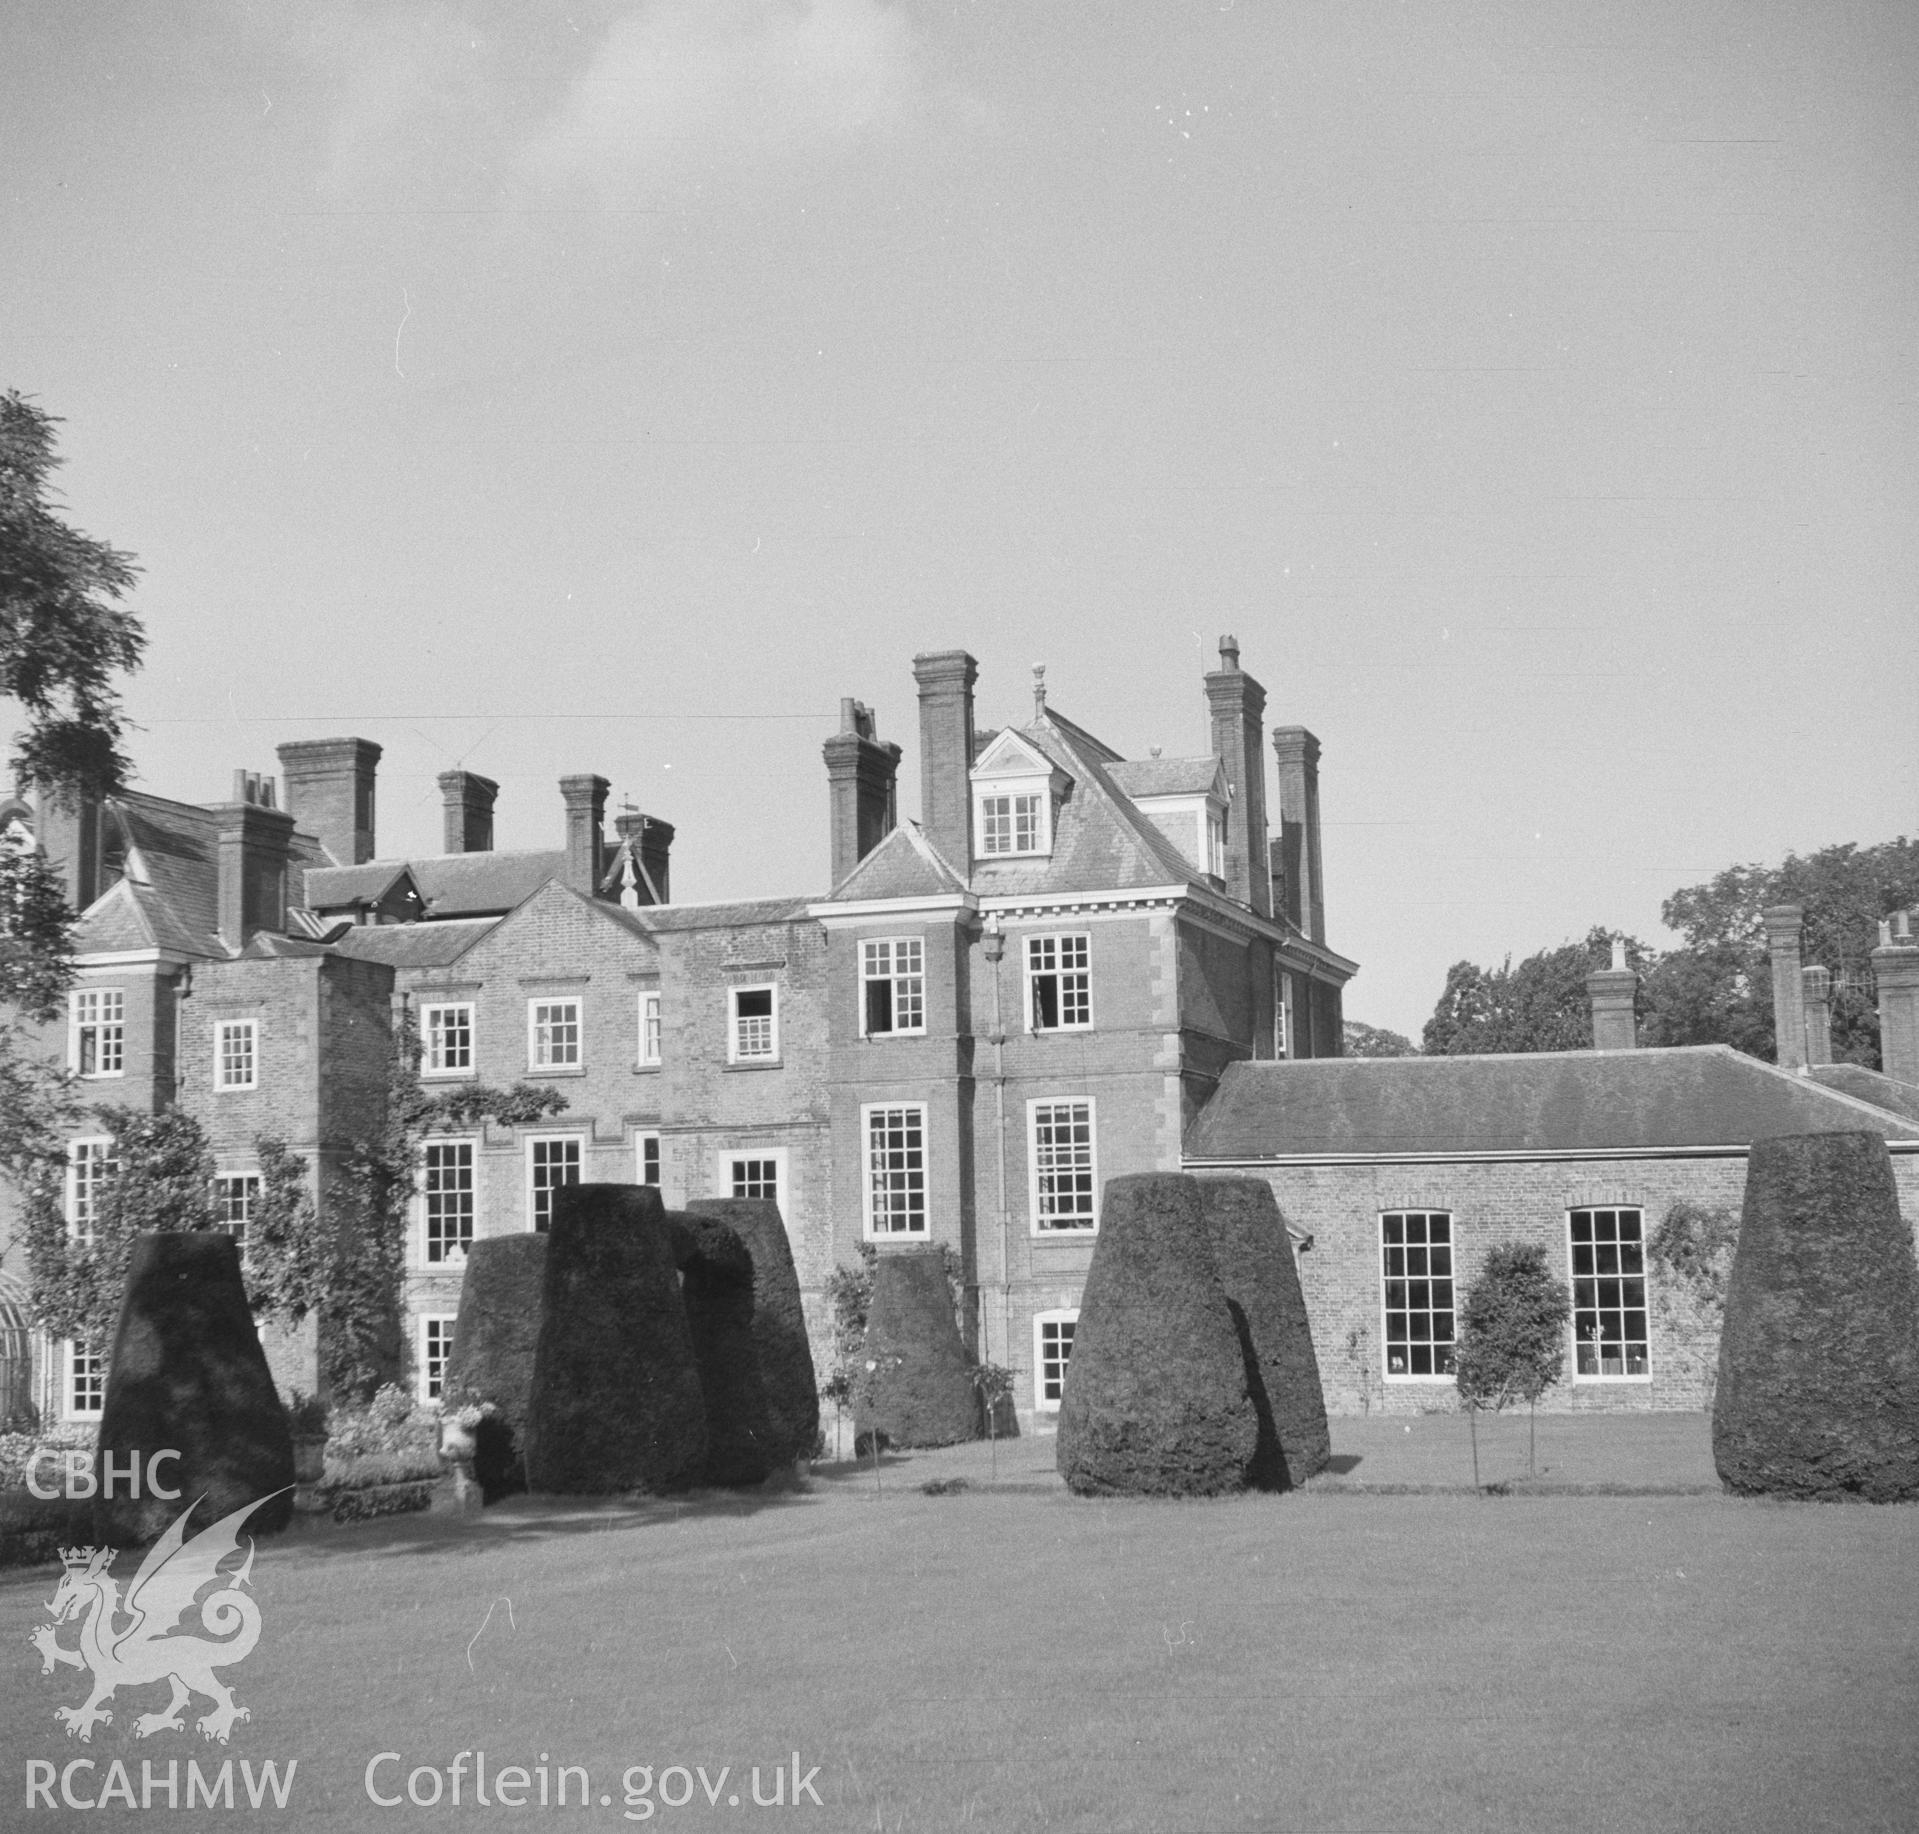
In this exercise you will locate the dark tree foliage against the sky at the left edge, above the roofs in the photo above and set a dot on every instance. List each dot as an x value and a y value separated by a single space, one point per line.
62 634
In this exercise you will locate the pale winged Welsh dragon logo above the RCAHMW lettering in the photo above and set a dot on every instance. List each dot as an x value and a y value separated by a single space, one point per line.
143 1649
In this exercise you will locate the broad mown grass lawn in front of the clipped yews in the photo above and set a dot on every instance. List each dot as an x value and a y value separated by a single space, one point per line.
1016 1658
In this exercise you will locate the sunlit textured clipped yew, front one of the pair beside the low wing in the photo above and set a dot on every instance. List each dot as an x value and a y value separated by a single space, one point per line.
1158 1399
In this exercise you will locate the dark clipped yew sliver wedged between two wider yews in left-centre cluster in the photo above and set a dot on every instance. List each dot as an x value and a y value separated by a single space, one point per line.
717 1288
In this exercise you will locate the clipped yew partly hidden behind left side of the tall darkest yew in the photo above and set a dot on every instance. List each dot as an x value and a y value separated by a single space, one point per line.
492 1357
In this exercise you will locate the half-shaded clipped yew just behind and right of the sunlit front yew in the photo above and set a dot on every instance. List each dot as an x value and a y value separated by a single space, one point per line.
1262 1282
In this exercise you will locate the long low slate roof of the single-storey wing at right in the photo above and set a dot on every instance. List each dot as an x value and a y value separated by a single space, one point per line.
1550 1102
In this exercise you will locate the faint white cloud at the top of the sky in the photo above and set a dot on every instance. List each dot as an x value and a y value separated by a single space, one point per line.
692 91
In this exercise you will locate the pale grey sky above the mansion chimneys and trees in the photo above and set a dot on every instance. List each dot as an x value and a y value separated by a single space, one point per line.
619 387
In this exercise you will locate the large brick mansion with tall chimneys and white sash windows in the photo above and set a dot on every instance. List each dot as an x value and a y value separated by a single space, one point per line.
1074 966
